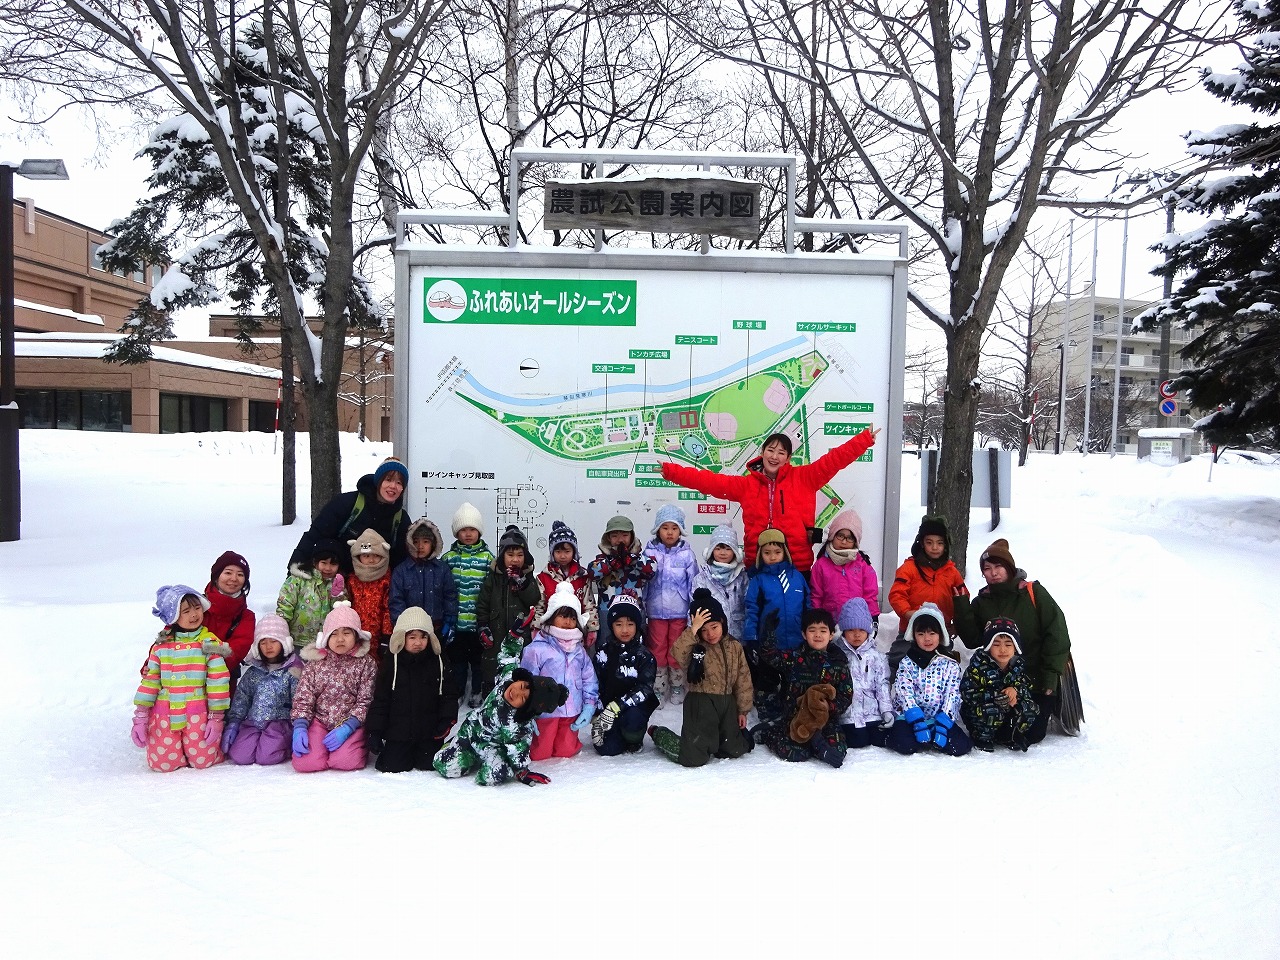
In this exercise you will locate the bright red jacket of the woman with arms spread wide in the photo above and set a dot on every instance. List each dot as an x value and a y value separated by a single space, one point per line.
788 504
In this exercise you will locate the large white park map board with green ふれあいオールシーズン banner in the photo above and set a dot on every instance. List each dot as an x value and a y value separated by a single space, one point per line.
543 394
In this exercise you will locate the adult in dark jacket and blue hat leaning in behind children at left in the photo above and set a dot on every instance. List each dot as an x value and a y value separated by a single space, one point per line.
377 504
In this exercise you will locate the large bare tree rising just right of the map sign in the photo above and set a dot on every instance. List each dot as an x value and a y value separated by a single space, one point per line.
1005 99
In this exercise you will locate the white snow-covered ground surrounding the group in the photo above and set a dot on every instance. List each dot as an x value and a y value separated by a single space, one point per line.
1155 835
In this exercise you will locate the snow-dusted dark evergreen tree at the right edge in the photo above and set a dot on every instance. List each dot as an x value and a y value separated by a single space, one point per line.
1231 268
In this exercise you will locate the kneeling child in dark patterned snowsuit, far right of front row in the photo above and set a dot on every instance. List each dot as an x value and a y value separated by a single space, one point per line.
996 700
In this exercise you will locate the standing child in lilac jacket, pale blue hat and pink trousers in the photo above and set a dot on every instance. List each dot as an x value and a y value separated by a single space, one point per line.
666 597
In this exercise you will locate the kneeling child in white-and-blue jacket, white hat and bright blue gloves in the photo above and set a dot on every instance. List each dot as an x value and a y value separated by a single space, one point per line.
927 692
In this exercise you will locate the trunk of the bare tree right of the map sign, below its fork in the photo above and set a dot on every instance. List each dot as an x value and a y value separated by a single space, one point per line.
959 418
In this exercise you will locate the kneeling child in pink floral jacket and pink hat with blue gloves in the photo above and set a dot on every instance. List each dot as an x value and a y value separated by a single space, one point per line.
333 697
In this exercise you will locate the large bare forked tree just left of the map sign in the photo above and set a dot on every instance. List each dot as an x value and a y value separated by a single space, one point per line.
186 53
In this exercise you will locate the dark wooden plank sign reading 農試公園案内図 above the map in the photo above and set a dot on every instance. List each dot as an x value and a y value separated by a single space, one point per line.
670 204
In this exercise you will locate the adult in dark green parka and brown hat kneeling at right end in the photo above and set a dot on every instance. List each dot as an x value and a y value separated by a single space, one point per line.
1045 639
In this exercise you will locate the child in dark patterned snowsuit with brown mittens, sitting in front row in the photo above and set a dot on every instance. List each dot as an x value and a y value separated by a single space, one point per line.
817 691
